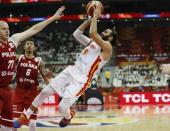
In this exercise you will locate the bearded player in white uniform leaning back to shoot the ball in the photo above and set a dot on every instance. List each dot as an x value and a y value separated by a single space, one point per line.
71 83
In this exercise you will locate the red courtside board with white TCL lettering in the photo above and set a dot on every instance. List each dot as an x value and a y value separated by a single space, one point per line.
145 98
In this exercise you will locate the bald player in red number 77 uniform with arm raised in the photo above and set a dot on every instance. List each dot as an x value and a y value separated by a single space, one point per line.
7 64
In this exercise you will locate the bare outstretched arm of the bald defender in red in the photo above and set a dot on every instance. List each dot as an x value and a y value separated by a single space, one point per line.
19 37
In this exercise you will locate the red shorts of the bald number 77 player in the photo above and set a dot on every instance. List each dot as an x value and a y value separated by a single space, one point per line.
6 102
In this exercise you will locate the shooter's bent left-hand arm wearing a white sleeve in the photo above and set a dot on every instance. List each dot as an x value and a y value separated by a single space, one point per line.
78 33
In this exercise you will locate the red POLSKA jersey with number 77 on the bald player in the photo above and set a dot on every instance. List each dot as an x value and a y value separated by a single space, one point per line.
7 62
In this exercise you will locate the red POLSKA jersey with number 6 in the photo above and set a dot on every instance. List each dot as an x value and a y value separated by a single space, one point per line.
27 72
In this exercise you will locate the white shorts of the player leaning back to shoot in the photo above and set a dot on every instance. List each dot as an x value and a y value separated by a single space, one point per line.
66 85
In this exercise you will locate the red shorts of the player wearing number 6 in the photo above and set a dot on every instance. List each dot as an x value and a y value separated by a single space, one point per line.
23 99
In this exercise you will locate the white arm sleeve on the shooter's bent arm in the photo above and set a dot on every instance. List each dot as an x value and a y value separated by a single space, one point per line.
81 38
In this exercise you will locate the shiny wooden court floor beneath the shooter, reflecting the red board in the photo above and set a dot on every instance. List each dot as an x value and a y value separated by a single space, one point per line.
107 118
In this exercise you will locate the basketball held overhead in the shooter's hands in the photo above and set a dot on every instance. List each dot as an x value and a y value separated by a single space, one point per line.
90 7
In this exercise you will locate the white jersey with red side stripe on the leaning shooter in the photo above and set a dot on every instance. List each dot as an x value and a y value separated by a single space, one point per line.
88 63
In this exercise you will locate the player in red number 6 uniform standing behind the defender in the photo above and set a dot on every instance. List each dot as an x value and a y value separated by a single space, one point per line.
27 82
